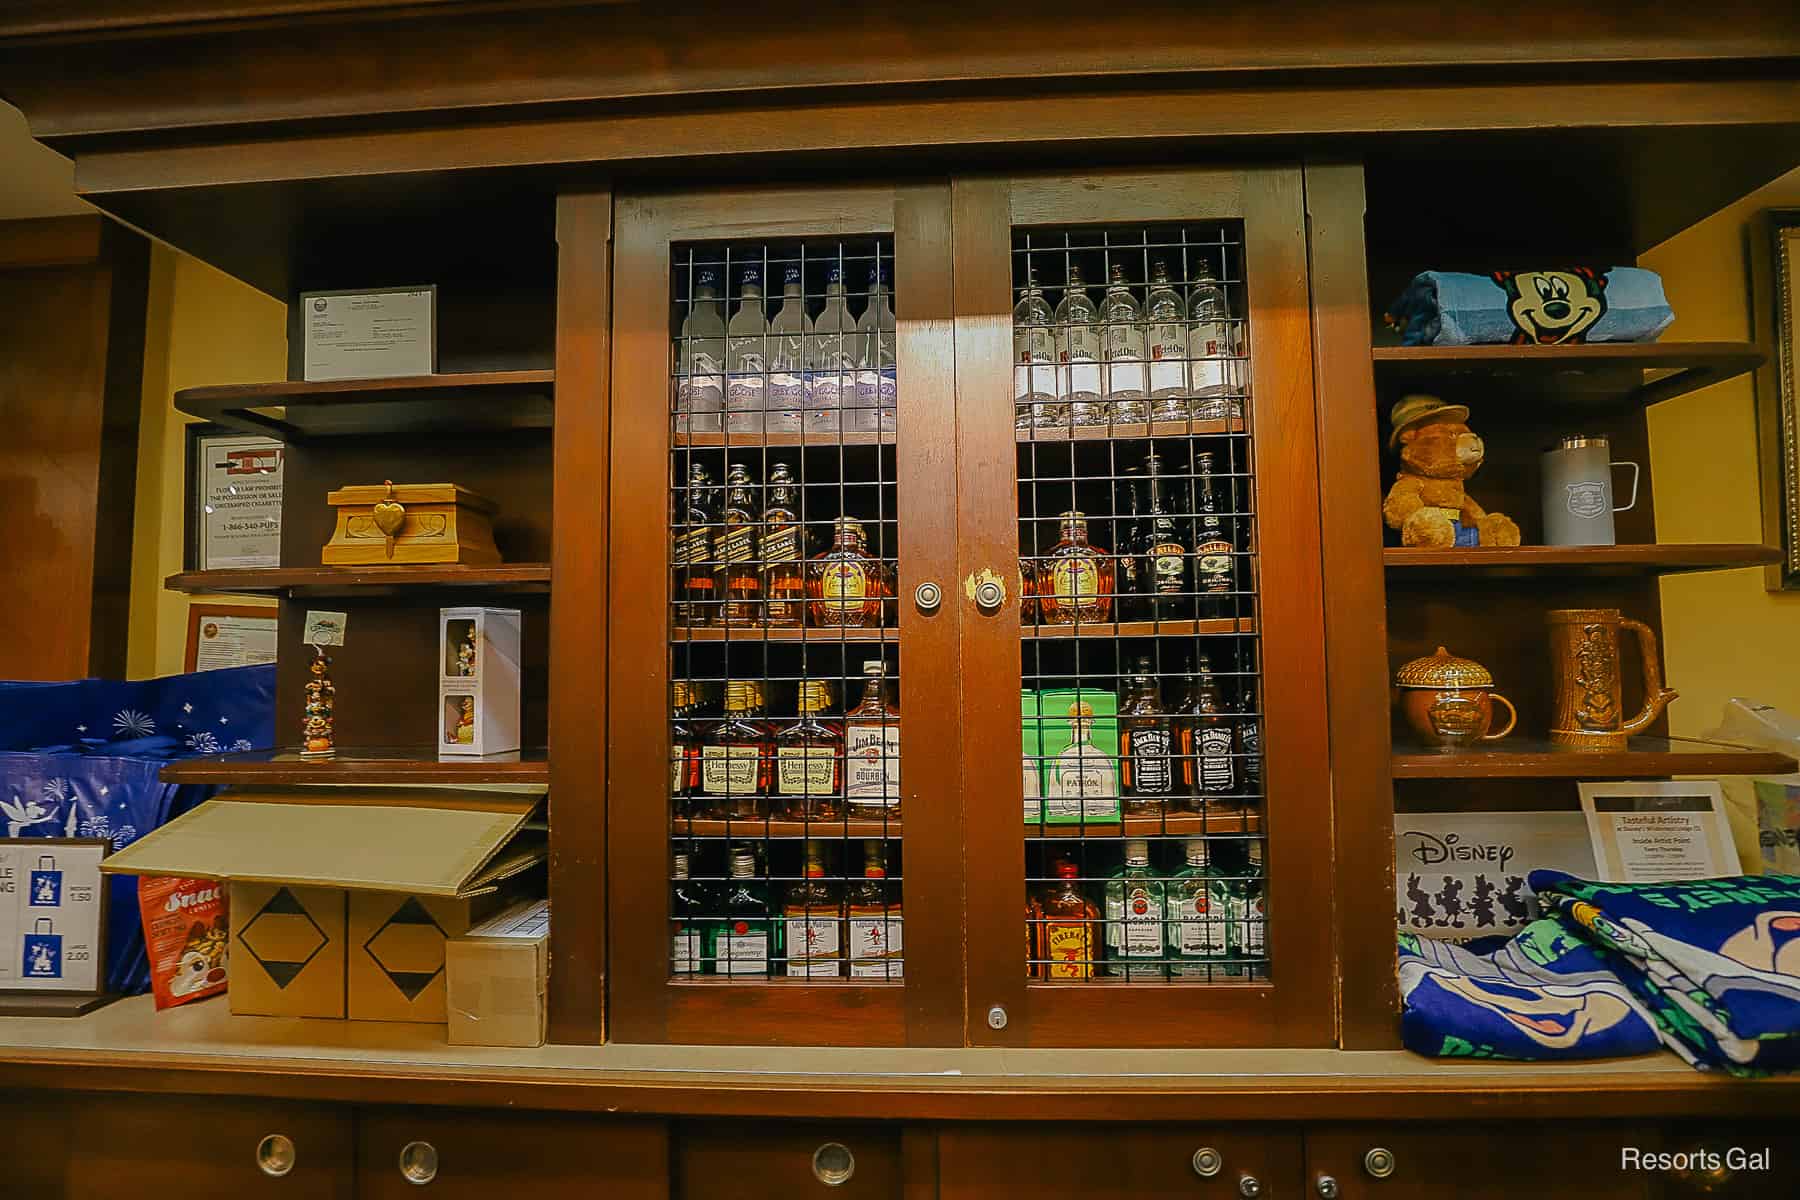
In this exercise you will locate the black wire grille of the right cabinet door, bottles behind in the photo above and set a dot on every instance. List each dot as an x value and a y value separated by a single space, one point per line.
1142 668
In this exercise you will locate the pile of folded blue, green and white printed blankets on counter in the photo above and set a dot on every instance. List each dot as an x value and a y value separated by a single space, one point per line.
1709 969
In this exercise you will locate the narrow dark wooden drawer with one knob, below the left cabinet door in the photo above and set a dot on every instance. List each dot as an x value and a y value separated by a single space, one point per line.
775 1160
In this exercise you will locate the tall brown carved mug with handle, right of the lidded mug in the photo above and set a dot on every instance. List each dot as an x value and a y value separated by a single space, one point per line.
1585 658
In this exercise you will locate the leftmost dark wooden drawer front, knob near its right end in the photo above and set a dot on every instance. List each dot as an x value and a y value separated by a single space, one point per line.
204 1149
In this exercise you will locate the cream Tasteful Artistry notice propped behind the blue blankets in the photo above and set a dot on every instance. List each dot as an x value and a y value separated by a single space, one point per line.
1659 832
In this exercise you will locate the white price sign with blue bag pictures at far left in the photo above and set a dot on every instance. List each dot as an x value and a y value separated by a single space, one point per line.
49 917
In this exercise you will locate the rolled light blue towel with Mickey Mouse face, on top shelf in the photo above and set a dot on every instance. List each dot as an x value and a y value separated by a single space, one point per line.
1536 309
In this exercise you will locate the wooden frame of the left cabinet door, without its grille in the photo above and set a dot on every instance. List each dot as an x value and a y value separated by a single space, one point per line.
645 1003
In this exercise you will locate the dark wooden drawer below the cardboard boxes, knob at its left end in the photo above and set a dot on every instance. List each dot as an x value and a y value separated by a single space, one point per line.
494 1156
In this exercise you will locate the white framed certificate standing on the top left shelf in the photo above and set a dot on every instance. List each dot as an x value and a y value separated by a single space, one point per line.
370 336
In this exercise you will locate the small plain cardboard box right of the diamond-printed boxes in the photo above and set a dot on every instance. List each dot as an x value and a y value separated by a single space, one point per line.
498 976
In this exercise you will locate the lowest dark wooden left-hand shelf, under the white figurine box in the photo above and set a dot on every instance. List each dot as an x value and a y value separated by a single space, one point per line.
361 766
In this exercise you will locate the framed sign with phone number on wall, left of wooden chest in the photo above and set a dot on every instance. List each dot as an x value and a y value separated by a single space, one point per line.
233 499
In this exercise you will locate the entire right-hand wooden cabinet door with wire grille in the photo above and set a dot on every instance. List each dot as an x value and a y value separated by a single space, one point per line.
1135 420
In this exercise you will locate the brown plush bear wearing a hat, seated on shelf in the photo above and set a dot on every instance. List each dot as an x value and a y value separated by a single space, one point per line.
1428 503
